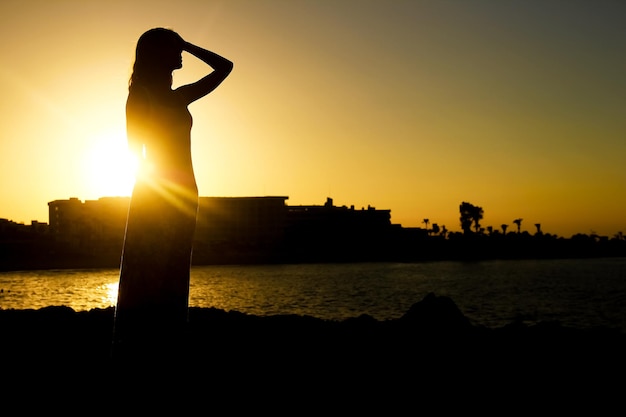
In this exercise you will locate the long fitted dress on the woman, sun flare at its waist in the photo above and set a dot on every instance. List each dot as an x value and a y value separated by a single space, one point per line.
153 294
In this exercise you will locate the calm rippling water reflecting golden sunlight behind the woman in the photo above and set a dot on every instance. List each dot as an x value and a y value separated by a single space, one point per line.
578 293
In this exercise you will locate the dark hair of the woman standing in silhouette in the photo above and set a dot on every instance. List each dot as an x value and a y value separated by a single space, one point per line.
148 66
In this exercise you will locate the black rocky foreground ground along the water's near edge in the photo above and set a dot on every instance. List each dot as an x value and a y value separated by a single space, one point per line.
430 361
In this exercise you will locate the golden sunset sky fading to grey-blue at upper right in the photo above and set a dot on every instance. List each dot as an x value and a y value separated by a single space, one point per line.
413 106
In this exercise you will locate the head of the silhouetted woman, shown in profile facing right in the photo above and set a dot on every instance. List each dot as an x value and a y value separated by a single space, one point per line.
158 53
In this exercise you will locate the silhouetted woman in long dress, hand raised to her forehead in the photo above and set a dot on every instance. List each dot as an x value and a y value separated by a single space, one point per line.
153 290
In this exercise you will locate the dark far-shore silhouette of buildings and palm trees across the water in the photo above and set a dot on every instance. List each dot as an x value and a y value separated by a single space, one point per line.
265 229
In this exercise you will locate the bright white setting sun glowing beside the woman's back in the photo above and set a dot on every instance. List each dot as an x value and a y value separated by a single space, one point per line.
109 166
